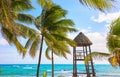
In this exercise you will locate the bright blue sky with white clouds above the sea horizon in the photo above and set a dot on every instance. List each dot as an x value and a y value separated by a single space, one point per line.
93 23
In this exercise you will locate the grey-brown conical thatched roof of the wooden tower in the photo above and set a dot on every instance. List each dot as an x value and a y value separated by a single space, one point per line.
82 40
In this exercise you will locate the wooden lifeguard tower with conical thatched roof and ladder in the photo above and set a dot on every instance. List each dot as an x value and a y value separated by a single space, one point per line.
79 53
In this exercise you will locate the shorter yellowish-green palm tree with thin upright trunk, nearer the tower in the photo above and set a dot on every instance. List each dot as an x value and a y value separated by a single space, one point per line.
60 50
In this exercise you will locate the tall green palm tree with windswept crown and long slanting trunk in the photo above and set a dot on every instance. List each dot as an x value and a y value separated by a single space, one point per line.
51 25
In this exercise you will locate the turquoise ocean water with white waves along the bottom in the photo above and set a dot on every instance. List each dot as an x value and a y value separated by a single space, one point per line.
64 70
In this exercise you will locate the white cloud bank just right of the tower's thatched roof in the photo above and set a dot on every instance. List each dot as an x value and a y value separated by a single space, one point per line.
98 40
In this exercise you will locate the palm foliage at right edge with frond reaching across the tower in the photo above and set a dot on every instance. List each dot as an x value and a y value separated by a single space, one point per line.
113 43
